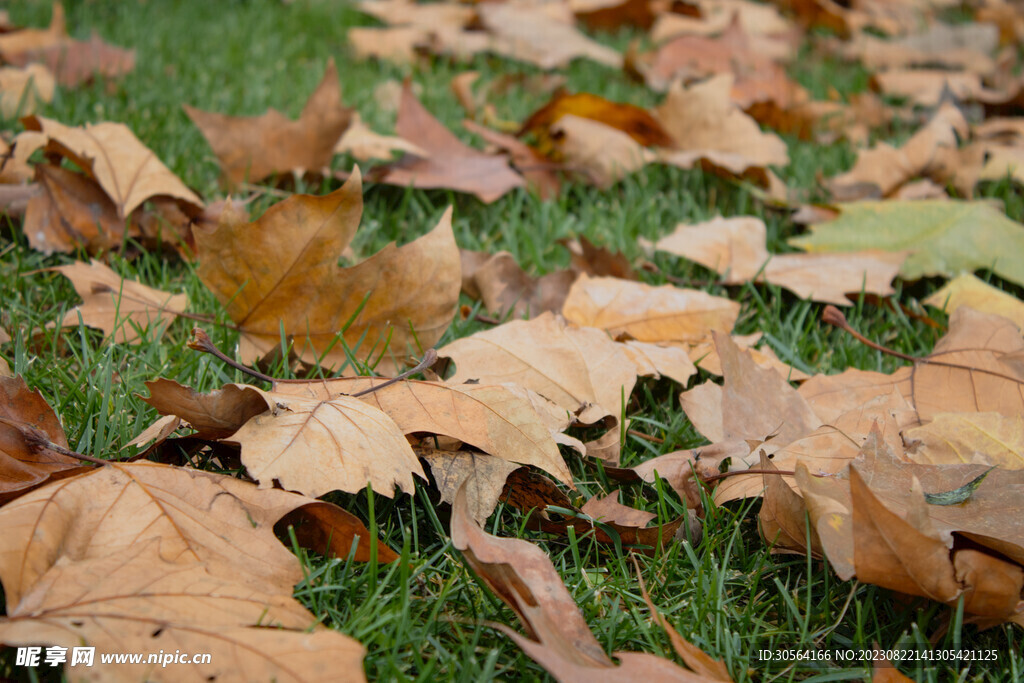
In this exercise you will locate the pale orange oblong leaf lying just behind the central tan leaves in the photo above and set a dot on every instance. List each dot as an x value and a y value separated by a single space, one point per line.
648 314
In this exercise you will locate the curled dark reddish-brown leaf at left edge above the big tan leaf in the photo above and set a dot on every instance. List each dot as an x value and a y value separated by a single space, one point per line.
23 467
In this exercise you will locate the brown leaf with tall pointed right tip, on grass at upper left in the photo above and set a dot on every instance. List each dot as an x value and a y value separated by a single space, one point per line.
253 149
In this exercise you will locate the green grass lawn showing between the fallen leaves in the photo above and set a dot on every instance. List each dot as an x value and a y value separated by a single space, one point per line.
421 619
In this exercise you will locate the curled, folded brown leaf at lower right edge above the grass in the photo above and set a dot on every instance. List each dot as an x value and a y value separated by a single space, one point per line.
878 526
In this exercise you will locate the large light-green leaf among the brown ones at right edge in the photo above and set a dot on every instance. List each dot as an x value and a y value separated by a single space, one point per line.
947 237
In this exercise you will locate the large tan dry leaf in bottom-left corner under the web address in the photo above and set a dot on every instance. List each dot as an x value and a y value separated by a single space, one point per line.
136 600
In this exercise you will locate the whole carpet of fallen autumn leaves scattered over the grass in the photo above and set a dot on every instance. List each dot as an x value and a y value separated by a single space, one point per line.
909 481
